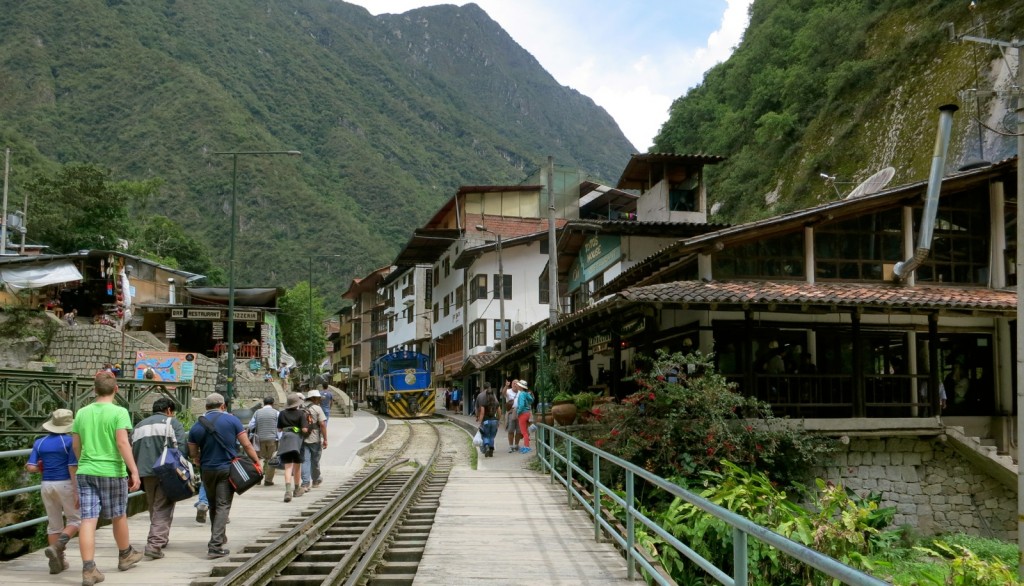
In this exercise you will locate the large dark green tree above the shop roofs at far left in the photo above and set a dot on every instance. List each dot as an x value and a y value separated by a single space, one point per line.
81 208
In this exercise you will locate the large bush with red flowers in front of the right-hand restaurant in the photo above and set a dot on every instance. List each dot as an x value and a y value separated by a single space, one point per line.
687 418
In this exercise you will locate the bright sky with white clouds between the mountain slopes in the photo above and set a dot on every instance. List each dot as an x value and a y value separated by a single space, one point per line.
633 58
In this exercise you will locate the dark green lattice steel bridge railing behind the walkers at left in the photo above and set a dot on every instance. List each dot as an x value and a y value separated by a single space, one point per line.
28 398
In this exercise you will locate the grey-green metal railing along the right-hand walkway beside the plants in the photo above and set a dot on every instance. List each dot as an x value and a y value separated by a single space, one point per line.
554 462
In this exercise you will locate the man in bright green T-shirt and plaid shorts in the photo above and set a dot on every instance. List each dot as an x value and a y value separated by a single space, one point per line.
107 473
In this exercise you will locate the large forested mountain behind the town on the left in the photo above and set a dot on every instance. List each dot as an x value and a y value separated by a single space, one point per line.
392 114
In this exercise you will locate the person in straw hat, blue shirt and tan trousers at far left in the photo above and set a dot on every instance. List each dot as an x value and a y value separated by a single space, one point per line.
54 455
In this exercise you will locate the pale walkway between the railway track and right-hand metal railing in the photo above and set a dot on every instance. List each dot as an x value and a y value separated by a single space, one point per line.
505 524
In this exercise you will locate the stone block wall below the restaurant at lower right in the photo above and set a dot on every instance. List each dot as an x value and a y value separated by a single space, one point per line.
933 488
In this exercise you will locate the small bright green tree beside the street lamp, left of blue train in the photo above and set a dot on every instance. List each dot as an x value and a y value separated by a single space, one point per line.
297 331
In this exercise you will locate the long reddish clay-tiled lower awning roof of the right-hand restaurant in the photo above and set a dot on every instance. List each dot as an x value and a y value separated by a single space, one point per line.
878 296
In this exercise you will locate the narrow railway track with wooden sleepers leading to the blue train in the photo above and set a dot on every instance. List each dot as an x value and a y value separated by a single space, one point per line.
372 530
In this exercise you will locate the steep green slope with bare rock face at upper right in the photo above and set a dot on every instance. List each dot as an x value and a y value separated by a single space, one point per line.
845 90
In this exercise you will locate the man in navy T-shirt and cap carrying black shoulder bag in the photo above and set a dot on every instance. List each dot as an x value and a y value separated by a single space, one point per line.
215 432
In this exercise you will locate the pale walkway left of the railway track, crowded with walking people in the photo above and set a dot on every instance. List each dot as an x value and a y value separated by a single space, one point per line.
253 514
